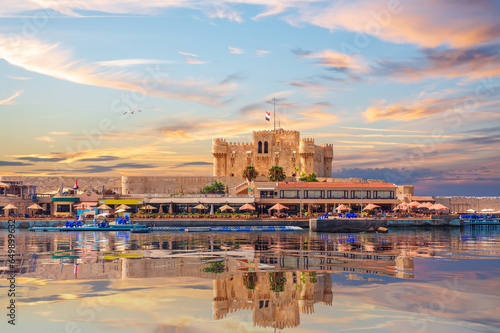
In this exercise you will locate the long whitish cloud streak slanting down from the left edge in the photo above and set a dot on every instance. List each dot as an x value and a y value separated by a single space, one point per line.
55 61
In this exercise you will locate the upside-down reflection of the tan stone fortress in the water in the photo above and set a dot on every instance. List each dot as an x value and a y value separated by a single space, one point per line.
276 298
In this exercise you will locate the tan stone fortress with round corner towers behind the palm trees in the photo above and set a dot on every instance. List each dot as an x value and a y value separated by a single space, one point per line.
272 147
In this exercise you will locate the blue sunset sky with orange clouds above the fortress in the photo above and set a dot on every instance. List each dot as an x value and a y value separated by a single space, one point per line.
407 91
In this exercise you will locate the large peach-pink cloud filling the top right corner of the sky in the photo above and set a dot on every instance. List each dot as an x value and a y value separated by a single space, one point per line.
427 23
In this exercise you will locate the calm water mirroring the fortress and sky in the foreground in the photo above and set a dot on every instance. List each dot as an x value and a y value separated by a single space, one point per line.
436 280
